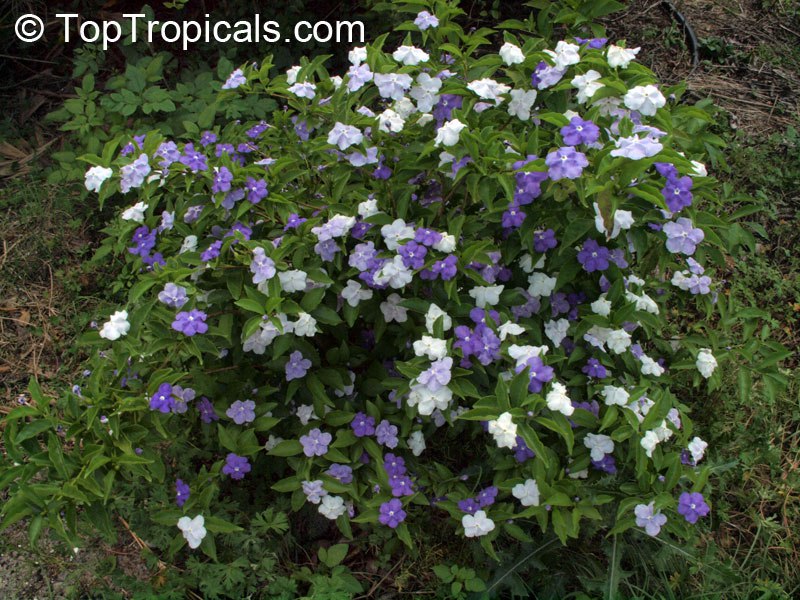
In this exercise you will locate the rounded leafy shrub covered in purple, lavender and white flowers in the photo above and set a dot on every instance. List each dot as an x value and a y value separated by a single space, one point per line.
438 285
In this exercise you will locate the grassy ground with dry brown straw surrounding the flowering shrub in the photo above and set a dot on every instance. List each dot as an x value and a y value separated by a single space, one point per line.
749 63
